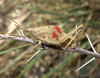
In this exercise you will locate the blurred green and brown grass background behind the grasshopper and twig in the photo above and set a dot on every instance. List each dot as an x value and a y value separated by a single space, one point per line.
66 14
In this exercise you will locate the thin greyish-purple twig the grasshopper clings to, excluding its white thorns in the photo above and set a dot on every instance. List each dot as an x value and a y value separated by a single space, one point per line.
25 39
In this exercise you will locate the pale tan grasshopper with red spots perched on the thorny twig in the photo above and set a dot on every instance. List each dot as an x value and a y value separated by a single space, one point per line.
51 35
